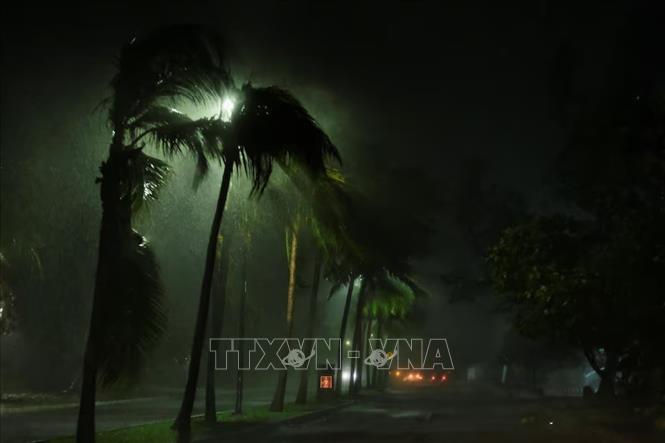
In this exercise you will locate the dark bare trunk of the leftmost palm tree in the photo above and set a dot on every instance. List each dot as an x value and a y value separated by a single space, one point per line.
114 233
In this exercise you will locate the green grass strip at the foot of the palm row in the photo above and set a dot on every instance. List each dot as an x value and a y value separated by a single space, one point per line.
160 432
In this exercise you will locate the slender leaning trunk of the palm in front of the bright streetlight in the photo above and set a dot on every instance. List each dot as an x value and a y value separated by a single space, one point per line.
182 423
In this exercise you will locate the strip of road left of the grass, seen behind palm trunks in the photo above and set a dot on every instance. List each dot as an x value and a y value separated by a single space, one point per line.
25 424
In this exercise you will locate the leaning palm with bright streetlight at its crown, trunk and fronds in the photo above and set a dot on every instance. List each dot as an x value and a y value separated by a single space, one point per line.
269 127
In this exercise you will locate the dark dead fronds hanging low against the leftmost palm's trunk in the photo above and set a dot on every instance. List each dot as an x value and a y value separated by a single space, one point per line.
131 316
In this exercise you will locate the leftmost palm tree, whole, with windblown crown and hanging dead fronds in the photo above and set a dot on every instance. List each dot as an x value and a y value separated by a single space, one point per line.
126 318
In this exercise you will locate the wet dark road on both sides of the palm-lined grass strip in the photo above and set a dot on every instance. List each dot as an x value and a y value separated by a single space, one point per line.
451 413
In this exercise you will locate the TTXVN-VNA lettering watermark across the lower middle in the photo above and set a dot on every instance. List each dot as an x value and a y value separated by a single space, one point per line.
280 354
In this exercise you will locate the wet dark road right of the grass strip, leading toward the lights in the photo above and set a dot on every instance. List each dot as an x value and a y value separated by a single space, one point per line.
453 413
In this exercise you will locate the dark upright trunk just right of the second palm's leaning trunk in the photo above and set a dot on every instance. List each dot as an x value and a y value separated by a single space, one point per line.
216 322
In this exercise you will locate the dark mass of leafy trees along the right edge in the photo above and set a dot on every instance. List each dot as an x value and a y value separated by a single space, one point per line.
594 274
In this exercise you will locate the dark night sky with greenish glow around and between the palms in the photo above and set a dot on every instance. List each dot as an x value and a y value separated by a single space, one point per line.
437 107
